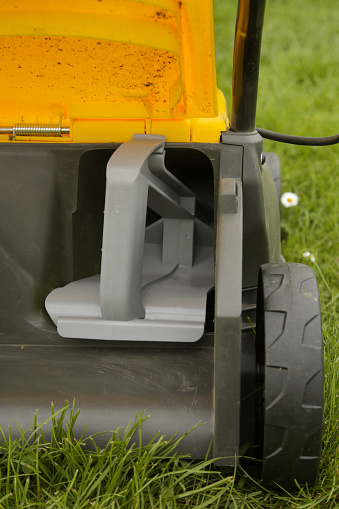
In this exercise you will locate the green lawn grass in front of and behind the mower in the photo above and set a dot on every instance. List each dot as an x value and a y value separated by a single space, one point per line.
298 89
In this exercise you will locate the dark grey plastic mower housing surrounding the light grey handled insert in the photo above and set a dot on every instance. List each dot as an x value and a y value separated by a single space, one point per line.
51 226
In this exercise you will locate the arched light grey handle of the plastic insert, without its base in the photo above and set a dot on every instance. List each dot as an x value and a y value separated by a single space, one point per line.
136 176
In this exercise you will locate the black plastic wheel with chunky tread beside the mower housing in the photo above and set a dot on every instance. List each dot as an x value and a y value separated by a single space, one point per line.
290 374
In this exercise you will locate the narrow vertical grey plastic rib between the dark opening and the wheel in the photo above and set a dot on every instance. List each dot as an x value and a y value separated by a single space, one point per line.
228 285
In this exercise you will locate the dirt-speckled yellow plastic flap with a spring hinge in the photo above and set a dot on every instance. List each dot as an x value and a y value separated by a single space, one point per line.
110 68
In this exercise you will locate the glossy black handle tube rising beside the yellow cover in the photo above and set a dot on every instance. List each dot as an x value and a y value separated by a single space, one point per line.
247 46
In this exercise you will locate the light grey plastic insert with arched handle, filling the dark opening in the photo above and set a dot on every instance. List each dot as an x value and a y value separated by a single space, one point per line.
153 283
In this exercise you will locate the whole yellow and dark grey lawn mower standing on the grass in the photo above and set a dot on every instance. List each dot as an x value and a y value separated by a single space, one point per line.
140 258
